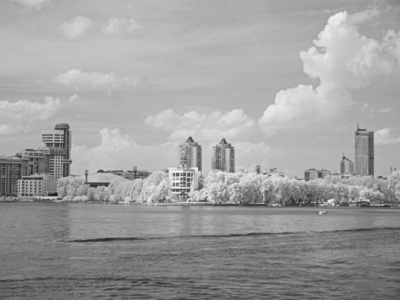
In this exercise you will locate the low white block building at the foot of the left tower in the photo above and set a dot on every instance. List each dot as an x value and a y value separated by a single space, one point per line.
37 185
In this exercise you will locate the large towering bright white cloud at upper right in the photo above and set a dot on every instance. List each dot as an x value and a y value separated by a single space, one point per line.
342 59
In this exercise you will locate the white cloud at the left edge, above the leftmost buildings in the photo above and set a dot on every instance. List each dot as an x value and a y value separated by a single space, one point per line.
19 116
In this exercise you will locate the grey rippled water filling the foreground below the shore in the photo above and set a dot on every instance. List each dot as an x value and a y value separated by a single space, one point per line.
78 251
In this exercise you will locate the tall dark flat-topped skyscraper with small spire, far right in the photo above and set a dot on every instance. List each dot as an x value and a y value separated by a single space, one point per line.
364 152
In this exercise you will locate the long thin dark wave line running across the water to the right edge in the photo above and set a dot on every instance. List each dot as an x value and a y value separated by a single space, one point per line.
232 235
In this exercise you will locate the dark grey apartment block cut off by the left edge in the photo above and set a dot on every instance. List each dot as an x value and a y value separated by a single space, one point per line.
11 168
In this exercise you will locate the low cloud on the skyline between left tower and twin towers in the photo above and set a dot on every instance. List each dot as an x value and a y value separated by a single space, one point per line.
119 151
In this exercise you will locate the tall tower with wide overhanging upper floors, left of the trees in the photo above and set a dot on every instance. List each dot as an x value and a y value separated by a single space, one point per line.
58 141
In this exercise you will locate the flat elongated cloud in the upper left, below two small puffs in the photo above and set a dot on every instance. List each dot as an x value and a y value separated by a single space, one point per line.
110 81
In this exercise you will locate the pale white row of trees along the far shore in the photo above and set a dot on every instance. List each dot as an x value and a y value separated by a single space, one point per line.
238 188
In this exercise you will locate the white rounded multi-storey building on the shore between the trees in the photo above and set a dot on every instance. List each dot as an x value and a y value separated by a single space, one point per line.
182 180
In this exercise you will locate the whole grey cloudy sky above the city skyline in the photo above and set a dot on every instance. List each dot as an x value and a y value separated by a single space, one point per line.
285 82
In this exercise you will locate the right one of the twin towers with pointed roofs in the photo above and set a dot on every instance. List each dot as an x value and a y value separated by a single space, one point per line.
223 157
